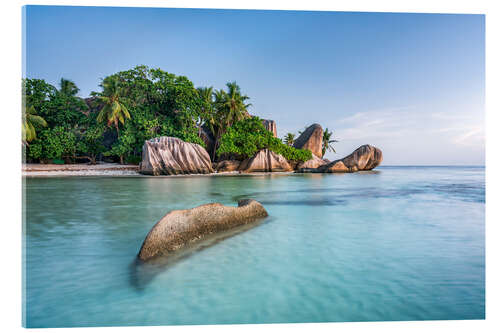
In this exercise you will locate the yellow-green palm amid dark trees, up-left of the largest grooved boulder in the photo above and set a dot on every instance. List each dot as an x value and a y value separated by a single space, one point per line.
113 110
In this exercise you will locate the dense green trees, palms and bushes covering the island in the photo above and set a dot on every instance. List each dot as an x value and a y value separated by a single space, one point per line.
133 106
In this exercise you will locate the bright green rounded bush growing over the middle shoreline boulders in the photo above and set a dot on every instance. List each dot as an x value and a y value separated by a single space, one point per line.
248 136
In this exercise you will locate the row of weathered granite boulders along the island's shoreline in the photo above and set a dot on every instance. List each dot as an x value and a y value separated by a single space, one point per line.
172 156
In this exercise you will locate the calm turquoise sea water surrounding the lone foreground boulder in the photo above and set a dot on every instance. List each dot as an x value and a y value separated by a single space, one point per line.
402 243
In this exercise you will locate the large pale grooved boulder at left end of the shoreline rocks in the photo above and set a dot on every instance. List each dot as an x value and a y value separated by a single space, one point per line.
172 156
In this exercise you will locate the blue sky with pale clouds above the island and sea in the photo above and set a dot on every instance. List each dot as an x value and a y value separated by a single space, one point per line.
409 84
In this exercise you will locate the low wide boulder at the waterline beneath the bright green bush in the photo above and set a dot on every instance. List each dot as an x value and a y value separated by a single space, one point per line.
265 161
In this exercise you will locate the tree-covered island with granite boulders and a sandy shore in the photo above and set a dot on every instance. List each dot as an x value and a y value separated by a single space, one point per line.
151 122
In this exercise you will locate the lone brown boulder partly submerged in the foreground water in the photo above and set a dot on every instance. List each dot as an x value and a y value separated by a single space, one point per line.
185 227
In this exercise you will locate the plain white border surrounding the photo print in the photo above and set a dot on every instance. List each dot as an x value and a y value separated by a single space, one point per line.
11 177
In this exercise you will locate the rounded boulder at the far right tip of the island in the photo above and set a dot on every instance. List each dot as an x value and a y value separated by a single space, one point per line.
365 157
